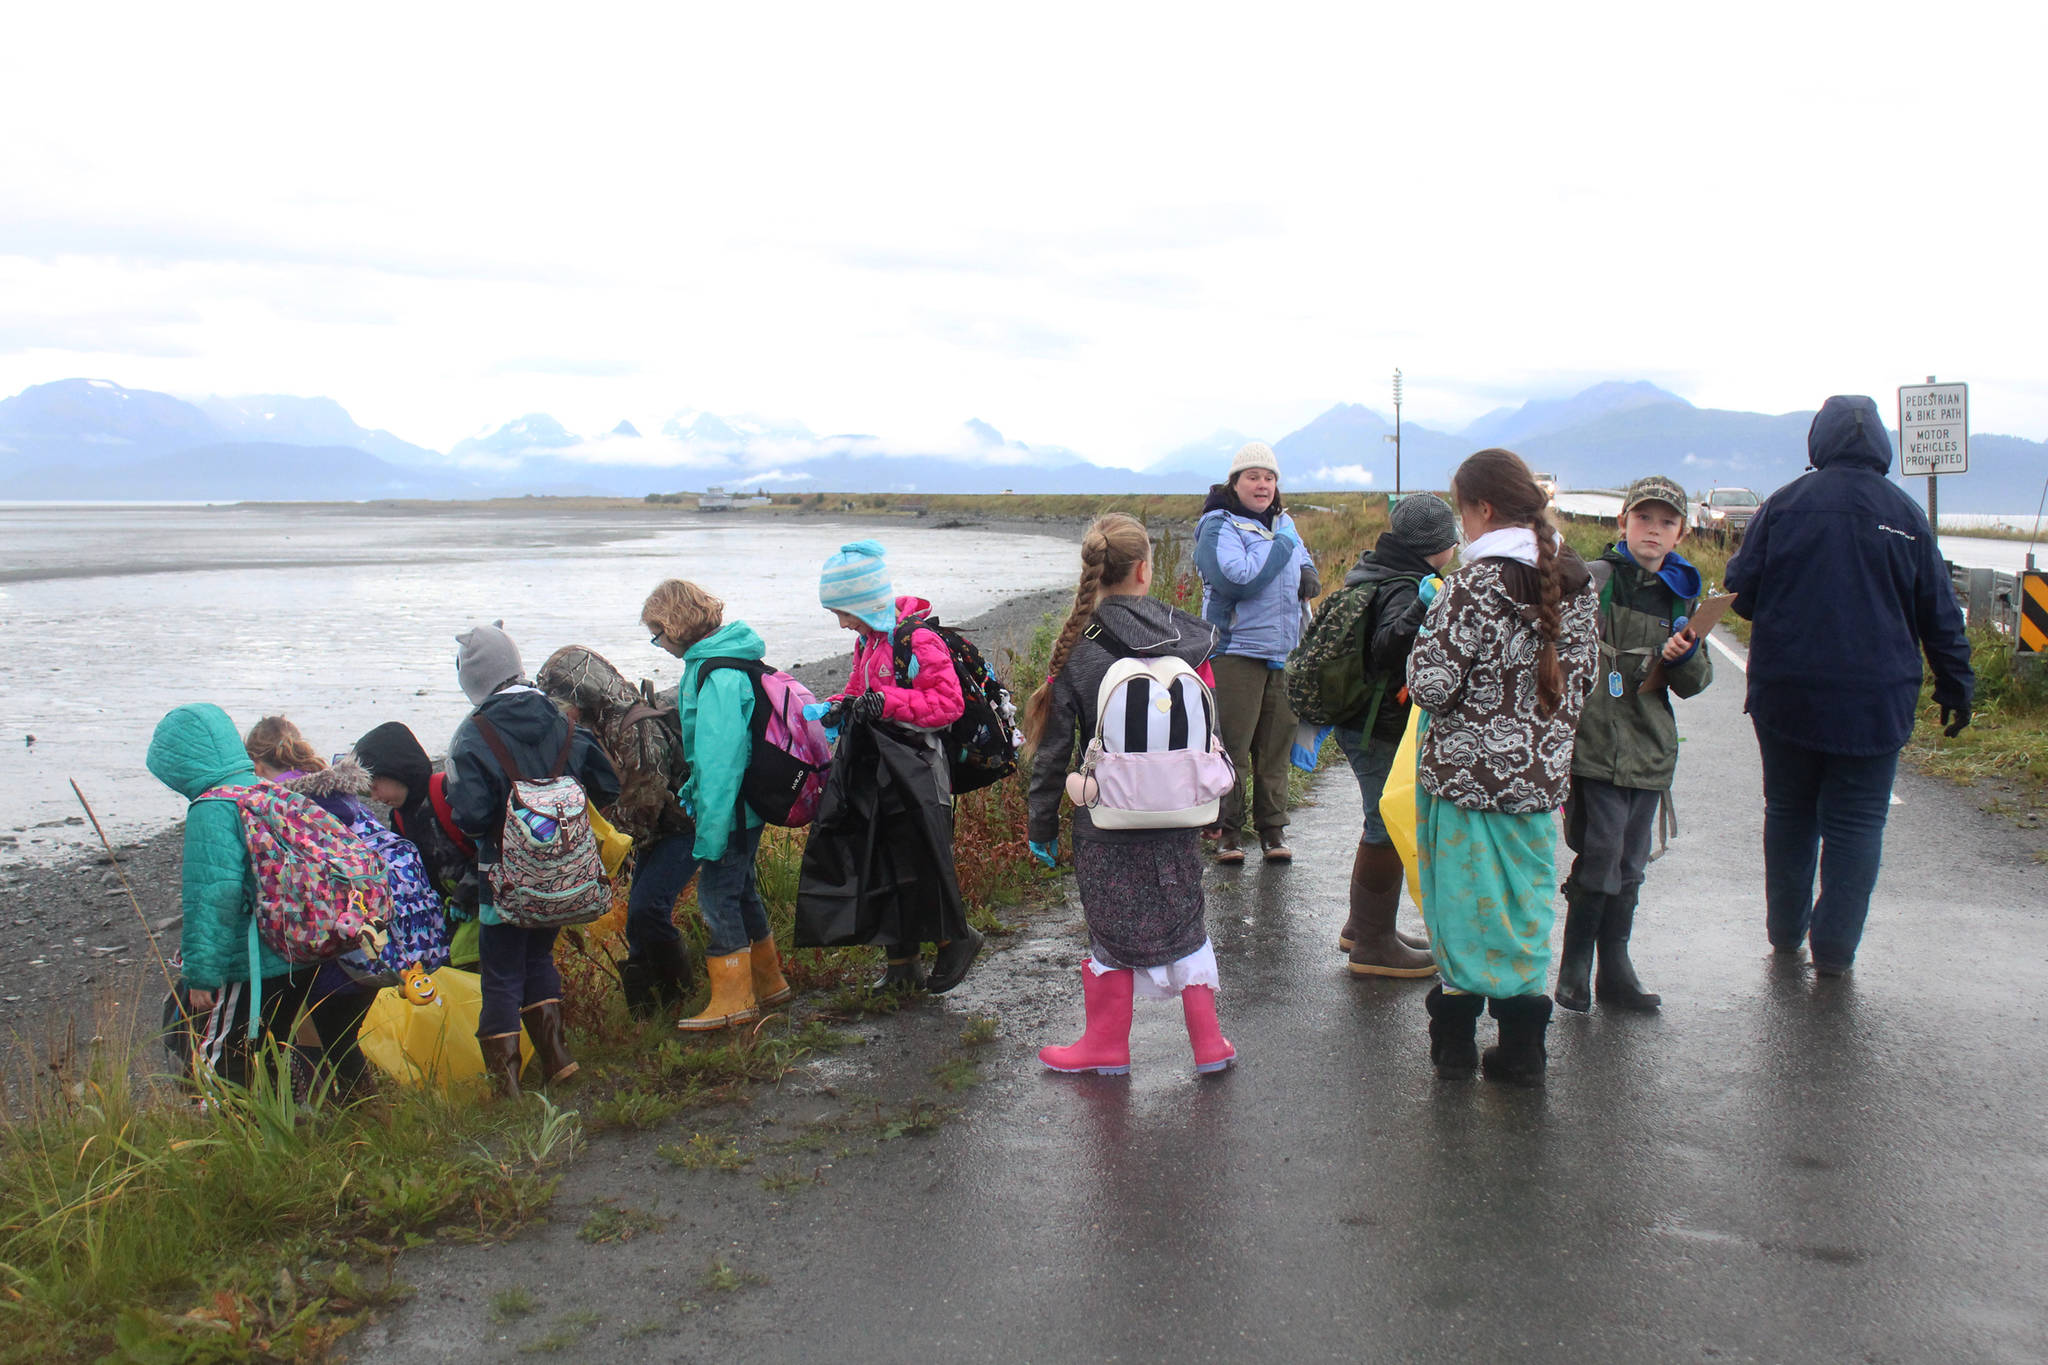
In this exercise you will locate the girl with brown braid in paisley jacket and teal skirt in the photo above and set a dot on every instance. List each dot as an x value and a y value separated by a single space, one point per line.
1502 668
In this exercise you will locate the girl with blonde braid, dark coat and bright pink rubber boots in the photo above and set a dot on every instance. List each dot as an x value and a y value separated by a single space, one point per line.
1142 889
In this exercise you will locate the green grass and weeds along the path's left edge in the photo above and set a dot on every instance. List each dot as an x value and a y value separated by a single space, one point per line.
138 1227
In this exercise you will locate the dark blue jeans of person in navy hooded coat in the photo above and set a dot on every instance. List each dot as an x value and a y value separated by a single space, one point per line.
1822 811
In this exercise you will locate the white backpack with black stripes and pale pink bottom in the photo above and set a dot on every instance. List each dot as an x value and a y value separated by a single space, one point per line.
1156 760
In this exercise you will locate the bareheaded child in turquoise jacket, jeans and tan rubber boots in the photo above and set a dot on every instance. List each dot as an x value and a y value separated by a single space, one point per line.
716 711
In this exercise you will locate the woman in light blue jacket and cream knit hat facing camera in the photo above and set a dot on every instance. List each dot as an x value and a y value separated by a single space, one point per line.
1254 580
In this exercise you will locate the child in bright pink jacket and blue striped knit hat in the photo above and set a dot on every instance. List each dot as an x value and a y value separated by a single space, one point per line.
902 678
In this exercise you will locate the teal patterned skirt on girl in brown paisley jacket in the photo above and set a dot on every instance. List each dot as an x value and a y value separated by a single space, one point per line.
1486 895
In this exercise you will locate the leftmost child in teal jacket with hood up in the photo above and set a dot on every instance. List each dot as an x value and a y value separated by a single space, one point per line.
198 748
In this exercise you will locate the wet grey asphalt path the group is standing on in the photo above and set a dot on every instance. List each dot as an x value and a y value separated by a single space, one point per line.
1773 1170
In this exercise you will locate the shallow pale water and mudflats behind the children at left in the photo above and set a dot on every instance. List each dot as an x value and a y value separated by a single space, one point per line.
343 619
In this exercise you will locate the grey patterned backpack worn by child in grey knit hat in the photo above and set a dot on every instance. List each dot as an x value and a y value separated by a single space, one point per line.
548 869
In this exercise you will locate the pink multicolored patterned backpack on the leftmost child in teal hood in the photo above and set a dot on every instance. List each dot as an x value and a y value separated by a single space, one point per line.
321 891
